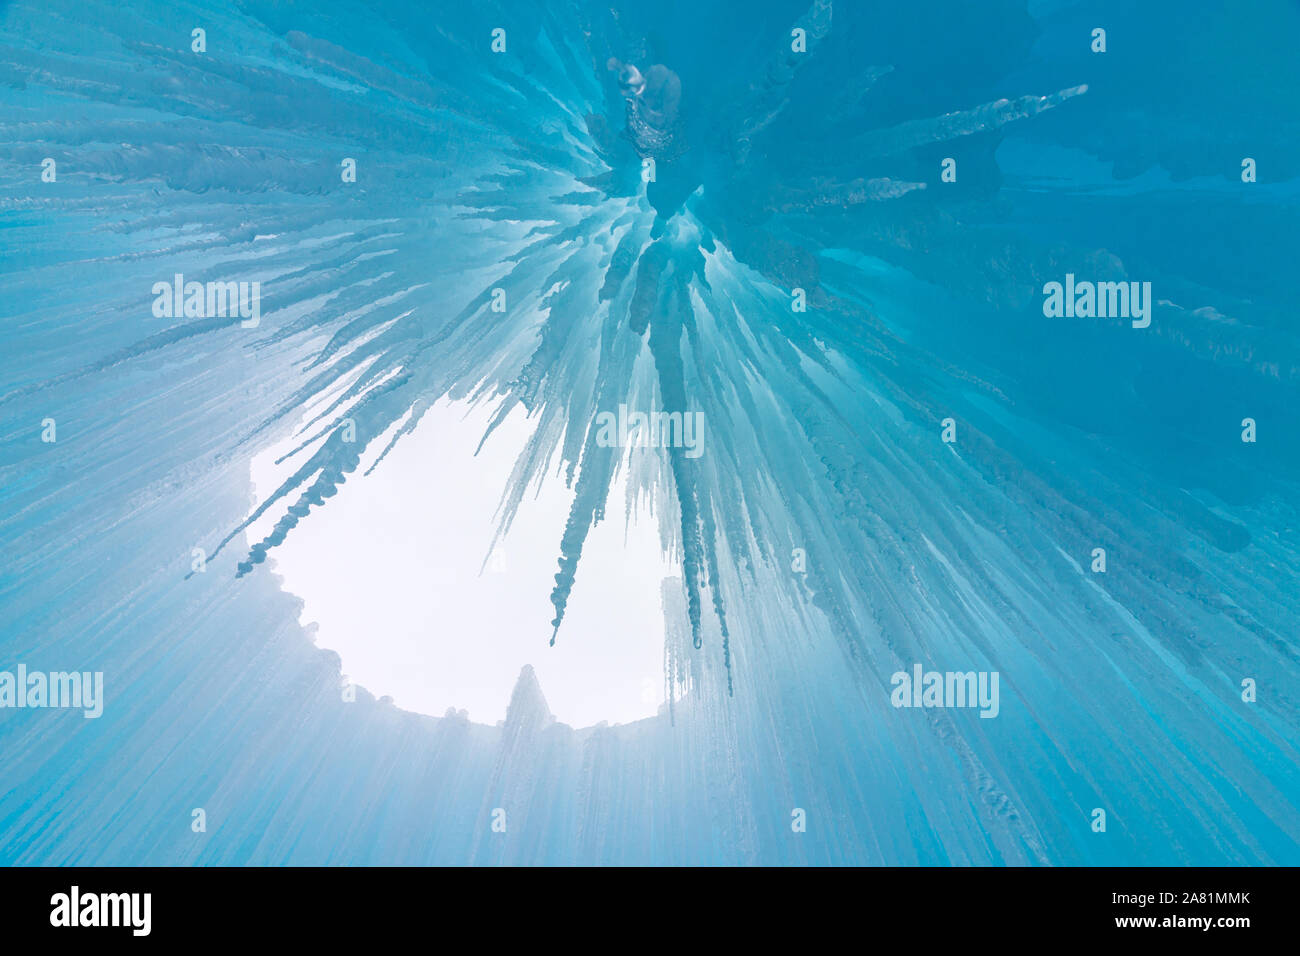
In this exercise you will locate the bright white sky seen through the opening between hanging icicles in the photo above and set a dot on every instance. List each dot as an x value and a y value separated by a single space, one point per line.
391 573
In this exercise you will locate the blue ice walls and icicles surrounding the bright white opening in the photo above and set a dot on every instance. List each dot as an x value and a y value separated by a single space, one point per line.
835 256
